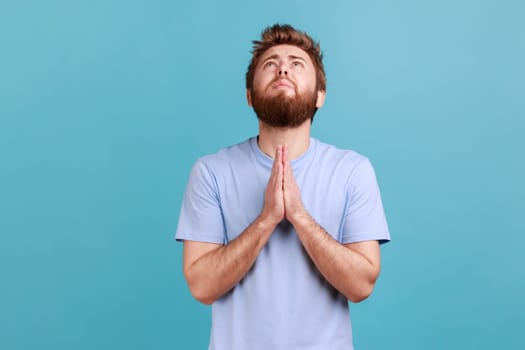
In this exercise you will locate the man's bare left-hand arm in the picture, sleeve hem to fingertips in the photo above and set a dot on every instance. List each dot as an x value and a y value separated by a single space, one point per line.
212 269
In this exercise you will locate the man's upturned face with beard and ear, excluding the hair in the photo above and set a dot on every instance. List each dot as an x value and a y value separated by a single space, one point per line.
284 87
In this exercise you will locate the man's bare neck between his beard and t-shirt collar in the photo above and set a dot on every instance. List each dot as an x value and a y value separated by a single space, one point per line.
297 139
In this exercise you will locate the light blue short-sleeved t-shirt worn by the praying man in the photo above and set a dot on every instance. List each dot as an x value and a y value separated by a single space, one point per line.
283 302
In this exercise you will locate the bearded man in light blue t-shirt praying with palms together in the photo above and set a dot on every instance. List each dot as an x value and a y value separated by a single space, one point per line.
282 230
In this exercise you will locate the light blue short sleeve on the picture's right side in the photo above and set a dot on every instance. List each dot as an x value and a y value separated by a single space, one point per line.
364 215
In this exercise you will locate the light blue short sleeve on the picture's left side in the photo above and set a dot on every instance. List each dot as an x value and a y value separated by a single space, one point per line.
200 215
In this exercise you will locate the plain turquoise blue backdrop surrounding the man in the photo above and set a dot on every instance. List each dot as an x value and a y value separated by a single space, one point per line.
105 105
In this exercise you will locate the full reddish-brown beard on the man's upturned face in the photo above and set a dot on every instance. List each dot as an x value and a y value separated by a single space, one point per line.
283 111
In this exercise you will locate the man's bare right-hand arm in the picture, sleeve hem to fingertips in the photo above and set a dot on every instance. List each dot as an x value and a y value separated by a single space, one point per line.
352 268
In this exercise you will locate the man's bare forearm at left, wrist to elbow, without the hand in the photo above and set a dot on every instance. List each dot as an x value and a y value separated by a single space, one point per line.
218 271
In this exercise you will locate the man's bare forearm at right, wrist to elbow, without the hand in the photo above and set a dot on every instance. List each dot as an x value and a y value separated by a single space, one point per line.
351 273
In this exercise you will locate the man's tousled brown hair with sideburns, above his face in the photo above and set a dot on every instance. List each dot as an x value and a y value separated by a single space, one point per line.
287 35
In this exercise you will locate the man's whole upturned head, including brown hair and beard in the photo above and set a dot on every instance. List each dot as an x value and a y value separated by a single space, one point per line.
285 81
